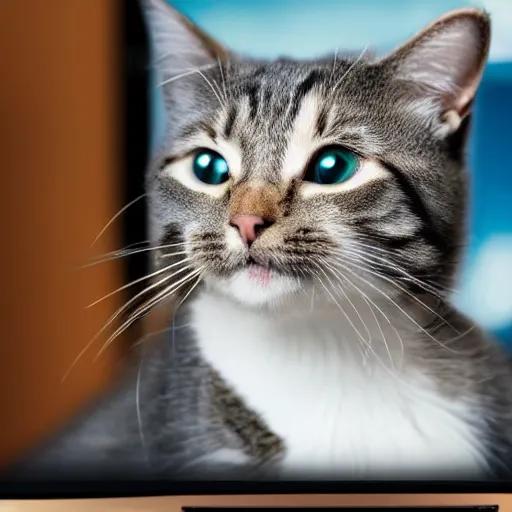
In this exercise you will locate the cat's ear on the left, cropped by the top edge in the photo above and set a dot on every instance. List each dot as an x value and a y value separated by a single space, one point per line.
182 52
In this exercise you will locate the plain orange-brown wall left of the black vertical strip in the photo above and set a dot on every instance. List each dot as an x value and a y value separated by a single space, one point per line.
59 186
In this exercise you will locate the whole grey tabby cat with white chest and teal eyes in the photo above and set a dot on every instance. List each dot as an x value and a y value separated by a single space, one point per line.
310 216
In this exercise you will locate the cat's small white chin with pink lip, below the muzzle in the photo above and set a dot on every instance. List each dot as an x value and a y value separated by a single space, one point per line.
257 287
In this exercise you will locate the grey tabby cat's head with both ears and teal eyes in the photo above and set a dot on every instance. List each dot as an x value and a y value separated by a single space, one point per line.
337 173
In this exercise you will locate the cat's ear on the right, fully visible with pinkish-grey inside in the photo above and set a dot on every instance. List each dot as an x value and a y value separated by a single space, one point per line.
445 62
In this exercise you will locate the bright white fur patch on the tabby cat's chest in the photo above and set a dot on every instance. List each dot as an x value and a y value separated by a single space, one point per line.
335 413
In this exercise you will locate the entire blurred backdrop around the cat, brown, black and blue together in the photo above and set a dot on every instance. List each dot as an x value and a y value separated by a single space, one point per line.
80 114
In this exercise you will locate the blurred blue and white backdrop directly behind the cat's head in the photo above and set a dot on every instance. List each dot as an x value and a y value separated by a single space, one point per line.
305 28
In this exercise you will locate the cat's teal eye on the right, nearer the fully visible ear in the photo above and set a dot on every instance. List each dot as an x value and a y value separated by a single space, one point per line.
332 165
